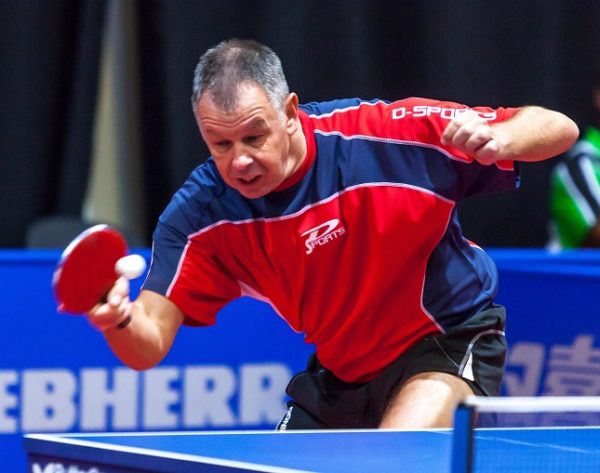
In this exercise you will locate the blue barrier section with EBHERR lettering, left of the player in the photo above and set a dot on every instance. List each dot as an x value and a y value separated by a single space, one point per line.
57 374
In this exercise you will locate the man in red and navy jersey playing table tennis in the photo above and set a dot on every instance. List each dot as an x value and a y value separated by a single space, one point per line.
342 216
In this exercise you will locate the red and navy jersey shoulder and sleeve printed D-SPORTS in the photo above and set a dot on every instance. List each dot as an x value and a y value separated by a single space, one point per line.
400 142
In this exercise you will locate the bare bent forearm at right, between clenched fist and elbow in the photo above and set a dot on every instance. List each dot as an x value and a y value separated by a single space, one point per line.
536 134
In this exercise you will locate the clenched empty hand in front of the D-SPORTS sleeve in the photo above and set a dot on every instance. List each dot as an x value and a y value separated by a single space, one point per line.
474 136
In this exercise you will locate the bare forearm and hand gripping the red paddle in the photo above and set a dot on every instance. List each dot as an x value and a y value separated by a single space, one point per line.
150 333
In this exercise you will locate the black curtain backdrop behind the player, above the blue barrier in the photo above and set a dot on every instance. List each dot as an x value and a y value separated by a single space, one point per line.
478 52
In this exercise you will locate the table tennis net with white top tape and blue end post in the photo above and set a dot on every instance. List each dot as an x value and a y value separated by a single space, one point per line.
537 434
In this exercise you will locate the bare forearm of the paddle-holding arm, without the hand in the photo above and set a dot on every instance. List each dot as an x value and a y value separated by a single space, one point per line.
146 340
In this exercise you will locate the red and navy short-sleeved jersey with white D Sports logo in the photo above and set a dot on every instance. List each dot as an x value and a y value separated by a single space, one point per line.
361 249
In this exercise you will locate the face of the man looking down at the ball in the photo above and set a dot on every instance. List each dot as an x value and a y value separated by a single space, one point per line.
251 144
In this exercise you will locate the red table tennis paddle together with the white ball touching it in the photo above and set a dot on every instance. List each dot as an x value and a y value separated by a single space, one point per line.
89 267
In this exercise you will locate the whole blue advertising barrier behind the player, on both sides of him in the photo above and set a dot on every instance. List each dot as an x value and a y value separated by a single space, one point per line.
58 375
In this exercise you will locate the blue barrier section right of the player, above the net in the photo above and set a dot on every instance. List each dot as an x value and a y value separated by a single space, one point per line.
553 328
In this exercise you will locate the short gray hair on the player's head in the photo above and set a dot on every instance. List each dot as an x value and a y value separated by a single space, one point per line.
223 68
